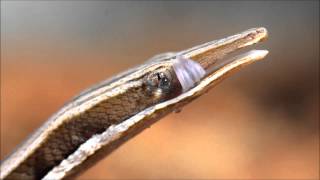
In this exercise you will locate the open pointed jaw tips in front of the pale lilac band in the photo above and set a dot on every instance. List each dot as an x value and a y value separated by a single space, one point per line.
210 54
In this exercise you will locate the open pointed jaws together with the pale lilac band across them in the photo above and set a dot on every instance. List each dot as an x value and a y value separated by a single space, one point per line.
194 64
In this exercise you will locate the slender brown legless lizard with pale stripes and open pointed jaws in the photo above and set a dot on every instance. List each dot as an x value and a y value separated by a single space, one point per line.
103 117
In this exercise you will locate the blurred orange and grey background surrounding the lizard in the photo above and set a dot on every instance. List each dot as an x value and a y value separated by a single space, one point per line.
261 123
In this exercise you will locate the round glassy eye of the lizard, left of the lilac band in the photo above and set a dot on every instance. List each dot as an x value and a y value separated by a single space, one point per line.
159 81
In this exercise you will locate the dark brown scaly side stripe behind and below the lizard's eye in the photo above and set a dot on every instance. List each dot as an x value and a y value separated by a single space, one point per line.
80 128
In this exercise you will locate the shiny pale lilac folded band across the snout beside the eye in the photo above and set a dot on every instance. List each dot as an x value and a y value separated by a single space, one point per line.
188 72
